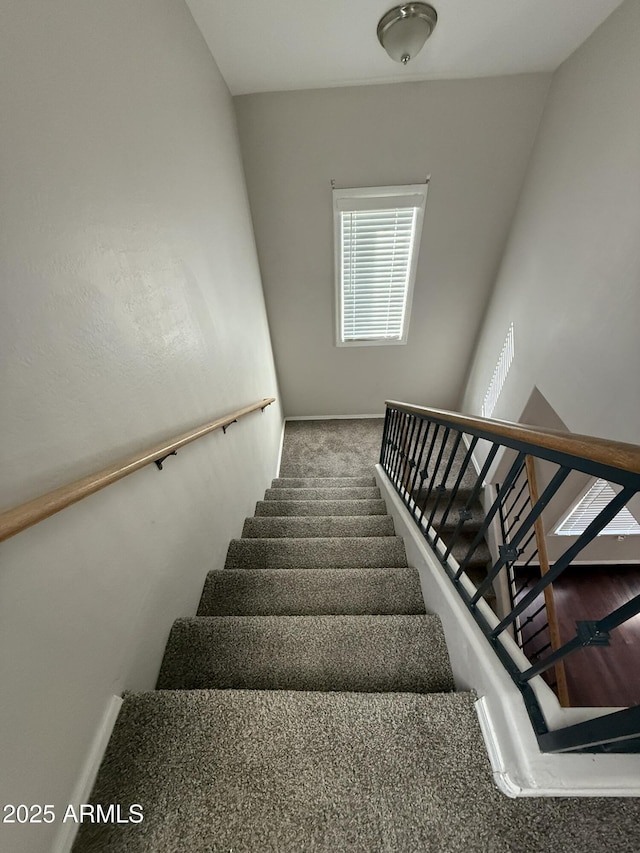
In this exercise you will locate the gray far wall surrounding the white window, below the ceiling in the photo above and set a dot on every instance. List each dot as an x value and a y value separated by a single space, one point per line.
473 137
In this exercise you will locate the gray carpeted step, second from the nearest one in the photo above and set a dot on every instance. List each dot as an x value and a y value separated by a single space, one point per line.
359 653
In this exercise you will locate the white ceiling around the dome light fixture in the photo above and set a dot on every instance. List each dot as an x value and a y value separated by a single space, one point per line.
275 45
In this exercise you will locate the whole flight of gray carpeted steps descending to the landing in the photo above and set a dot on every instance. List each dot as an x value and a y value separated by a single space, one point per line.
295 710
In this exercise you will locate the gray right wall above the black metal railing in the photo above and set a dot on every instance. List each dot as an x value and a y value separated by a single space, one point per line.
570 277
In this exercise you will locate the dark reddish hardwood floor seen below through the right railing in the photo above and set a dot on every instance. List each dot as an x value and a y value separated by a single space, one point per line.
596 676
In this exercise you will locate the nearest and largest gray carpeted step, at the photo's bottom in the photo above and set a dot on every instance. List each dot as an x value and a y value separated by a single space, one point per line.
221 770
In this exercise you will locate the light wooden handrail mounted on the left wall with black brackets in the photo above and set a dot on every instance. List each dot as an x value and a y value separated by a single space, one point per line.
15 520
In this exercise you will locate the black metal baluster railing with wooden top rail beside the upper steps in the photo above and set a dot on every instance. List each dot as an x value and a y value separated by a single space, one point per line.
439 462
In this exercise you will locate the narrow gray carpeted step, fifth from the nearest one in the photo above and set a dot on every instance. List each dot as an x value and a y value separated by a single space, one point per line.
314 526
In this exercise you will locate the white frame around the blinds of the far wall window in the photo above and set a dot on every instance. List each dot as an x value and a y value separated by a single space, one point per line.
345 200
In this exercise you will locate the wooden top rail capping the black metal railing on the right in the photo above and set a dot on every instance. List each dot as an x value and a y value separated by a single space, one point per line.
600 450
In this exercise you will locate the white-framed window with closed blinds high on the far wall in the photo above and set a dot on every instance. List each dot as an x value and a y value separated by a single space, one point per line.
377 237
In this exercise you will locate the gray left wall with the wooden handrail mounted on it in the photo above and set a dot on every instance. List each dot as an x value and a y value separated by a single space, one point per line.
130 309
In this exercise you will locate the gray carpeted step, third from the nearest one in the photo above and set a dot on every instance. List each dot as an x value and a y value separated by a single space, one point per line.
308 592
